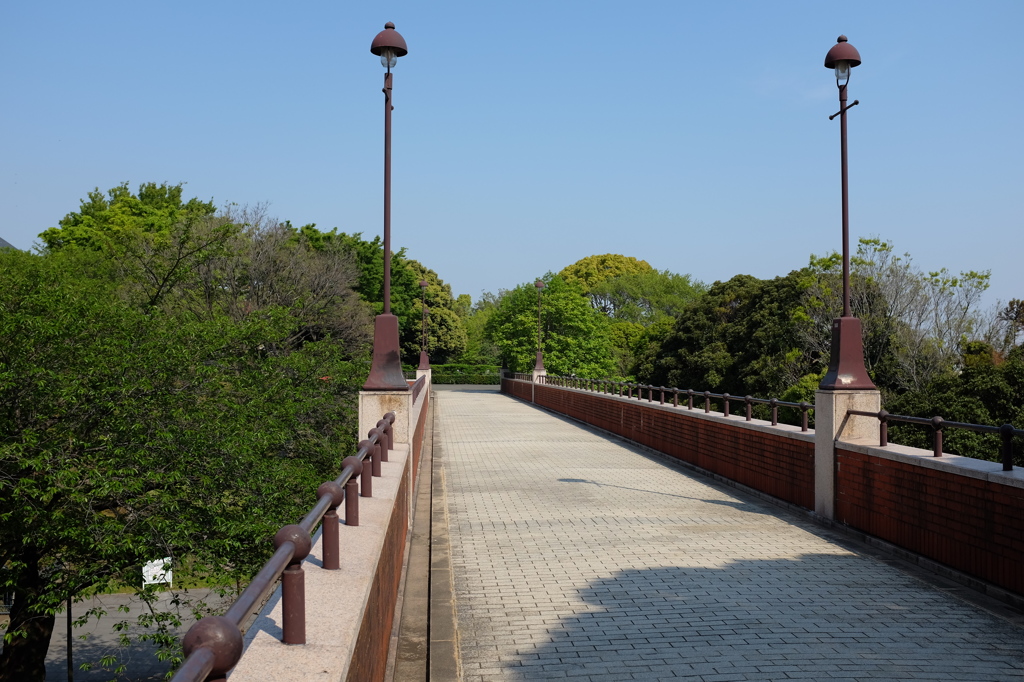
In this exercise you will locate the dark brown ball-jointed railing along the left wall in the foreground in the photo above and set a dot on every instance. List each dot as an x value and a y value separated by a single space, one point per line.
214 647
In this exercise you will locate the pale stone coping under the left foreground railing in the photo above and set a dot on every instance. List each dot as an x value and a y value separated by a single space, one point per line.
336 601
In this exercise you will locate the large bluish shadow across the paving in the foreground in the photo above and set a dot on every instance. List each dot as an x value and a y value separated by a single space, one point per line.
817 617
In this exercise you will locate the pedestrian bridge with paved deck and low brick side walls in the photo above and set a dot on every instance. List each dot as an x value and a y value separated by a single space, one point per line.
667 543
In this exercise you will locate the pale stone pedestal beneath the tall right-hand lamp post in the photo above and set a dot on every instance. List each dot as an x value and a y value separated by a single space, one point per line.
831 424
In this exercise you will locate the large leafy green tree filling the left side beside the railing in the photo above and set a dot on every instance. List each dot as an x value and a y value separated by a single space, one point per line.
191 424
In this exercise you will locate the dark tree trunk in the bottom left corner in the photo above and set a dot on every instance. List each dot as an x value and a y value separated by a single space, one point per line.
24 658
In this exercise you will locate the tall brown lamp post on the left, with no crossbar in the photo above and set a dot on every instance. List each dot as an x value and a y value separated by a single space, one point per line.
386 373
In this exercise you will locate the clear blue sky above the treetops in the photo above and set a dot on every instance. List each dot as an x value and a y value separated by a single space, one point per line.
694 136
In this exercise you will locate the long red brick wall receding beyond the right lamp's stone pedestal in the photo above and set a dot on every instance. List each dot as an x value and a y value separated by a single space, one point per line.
778 465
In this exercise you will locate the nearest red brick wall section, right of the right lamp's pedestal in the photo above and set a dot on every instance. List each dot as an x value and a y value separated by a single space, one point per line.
973 526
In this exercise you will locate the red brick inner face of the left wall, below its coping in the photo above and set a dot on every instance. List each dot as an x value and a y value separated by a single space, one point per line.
370 657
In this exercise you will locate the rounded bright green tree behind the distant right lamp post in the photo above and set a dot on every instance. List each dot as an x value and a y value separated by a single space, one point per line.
575 335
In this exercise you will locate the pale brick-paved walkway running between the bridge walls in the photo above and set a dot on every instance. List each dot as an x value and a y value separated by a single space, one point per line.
577 558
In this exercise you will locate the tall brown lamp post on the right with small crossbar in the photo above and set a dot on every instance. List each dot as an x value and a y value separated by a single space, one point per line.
846 366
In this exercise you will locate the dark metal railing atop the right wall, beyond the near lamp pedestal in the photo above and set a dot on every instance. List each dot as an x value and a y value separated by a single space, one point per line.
626 390
